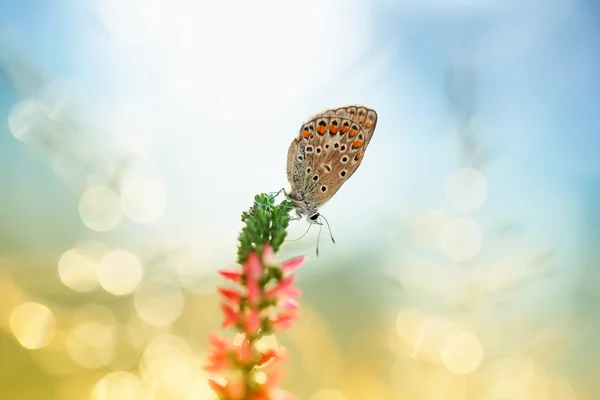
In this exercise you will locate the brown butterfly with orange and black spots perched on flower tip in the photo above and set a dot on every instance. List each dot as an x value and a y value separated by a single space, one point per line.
326 153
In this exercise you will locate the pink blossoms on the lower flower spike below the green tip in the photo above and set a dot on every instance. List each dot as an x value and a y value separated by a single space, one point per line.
247 309
